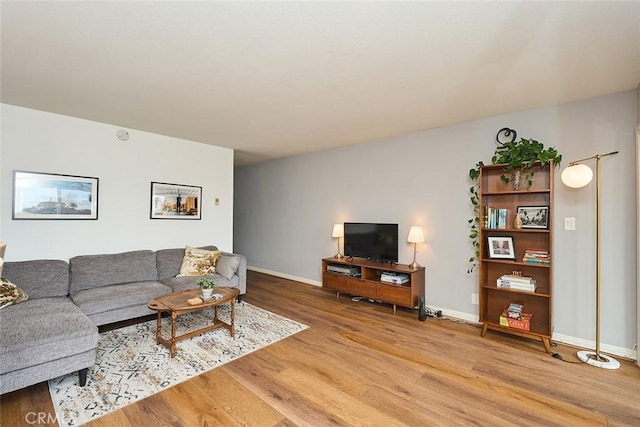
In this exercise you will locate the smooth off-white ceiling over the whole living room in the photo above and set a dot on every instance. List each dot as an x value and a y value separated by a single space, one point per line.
276 79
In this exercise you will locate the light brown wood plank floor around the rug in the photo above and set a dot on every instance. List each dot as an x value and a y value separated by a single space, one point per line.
358 364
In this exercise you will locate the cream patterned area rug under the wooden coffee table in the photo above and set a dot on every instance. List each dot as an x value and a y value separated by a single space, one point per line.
131 366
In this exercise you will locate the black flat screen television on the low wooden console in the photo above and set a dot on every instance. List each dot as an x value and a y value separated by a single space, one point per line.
378 242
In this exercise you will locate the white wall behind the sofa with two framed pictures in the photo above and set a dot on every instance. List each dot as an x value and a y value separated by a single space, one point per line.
43 142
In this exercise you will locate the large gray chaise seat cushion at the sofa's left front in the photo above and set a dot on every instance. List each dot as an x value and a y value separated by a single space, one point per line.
40 330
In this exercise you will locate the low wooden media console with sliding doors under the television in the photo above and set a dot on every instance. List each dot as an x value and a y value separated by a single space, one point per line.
364 279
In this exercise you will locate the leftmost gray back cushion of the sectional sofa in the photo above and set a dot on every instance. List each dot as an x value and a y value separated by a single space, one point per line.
39 278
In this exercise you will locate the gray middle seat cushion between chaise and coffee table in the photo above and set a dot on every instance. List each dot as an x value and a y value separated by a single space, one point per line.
115 297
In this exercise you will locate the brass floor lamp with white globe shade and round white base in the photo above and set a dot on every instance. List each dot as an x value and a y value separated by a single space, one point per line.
578 175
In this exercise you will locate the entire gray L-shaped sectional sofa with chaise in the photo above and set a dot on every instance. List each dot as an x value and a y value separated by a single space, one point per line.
55 331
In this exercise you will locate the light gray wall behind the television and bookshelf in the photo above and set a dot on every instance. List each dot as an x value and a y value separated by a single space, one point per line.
285 209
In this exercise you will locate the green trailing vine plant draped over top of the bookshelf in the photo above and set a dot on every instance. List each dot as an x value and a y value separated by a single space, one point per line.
516 156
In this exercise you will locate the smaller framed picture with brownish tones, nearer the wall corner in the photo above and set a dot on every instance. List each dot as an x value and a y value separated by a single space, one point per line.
175 201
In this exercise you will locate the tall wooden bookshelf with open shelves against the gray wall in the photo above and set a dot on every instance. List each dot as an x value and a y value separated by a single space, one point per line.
495 194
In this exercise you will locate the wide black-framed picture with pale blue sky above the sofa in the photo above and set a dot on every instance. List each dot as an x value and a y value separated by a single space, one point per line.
38 195
